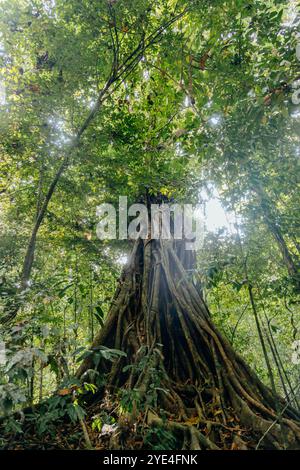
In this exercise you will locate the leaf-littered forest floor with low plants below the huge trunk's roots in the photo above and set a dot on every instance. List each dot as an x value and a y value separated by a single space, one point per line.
64 434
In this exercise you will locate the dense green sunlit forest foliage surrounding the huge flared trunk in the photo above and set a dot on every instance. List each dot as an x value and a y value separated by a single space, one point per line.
193 100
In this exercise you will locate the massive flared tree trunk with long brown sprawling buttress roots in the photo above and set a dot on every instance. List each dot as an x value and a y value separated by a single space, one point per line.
206 389
